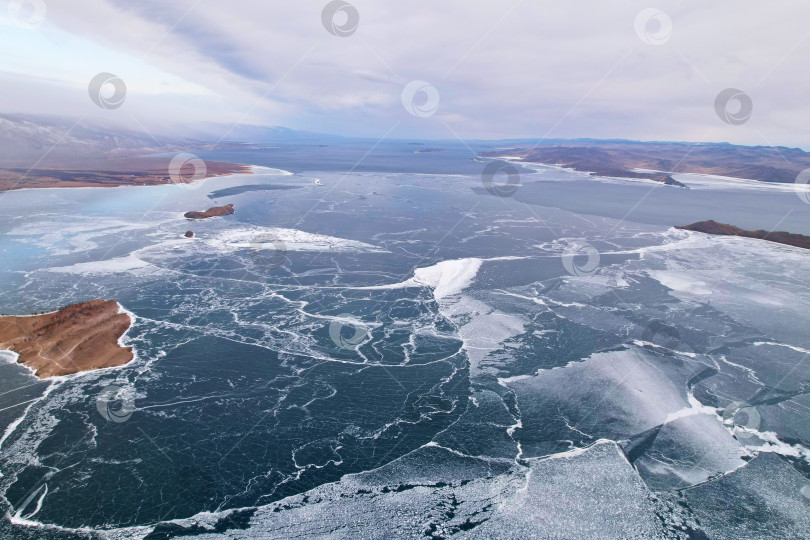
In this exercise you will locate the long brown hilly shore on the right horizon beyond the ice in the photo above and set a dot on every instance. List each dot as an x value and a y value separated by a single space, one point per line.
626 158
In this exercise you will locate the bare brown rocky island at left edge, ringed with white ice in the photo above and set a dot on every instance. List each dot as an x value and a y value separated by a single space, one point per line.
79 337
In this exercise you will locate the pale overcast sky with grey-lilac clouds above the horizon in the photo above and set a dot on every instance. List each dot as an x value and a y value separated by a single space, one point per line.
504 69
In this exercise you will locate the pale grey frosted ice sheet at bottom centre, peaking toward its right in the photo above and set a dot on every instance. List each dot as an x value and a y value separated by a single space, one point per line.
550 498
